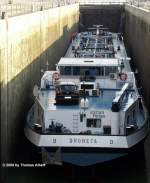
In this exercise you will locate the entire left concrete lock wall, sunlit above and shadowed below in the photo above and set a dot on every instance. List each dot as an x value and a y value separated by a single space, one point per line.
27 43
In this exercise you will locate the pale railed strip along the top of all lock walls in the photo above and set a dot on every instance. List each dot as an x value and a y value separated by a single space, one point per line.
18 7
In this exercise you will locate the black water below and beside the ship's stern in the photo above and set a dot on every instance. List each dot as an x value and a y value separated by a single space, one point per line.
130 169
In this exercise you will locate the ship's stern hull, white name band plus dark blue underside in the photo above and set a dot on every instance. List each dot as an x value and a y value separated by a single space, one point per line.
88 151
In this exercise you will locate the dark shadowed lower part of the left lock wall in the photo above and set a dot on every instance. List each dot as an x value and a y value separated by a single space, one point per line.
17 98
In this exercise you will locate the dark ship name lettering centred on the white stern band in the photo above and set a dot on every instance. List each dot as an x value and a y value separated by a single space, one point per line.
82 141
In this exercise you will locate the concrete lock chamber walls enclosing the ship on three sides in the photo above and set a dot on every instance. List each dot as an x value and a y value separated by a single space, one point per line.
28 41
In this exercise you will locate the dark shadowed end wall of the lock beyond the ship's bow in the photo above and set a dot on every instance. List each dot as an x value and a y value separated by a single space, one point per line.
108 16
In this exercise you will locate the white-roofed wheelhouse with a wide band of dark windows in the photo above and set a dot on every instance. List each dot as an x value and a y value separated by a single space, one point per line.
87 67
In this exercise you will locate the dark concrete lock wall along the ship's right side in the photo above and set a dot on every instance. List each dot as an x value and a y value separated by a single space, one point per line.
137 38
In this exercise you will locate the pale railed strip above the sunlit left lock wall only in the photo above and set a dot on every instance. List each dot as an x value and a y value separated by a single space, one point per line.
14 8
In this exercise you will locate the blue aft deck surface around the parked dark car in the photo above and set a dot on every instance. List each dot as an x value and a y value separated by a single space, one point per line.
103 101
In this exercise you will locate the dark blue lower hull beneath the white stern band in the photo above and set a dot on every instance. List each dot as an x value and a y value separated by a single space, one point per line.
91 156
